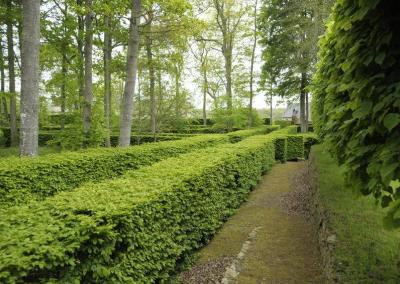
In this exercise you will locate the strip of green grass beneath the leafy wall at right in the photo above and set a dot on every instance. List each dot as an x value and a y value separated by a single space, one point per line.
365 252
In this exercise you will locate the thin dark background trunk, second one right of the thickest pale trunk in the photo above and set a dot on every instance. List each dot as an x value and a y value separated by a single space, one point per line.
81 68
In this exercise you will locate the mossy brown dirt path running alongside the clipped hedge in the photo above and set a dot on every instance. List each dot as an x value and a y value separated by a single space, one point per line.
269 240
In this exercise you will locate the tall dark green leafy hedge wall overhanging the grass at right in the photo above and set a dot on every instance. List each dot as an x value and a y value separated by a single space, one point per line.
356 102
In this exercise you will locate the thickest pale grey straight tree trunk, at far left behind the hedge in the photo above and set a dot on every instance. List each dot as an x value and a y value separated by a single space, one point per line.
30 78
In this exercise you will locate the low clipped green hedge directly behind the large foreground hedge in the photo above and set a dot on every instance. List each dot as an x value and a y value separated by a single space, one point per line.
23 179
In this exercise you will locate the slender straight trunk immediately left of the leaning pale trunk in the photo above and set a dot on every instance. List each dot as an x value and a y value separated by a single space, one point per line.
107 78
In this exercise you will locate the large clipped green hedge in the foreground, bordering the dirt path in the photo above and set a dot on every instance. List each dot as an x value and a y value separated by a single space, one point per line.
134 229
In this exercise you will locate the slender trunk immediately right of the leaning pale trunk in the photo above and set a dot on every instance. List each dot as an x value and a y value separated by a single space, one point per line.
153 103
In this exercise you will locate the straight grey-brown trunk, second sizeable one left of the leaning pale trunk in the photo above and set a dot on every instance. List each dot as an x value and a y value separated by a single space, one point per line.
88 94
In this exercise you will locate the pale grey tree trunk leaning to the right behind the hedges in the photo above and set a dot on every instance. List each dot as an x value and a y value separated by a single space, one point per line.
131 72
